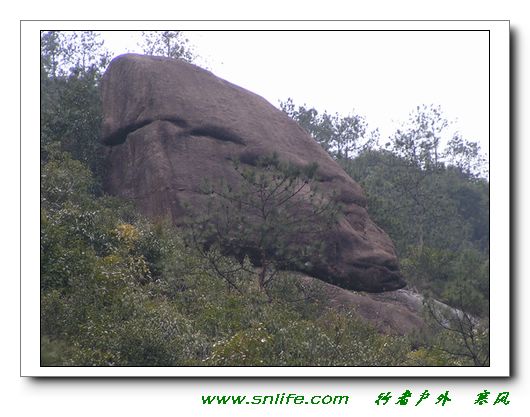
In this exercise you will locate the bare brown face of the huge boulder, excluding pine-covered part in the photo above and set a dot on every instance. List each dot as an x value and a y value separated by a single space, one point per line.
170 125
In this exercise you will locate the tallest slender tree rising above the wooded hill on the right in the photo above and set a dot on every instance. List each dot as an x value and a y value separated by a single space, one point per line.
419 177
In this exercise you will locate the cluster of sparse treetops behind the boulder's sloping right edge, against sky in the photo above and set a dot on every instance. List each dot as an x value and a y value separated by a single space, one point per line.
342 137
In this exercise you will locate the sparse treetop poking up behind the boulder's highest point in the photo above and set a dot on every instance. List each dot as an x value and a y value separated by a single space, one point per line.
169 43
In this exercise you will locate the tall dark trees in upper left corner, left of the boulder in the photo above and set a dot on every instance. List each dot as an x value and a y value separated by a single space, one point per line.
72 64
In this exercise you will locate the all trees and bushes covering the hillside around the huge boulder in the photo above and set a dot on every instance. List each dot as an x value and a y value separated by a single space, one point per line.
120 290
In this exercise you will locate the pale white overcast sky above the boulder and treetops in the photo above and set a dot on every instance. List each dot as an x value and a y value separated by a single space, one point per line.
381 75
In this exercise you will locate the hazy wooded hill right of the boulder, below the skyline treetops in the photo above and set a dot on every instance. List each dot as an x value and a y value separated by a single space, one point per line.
439 222
